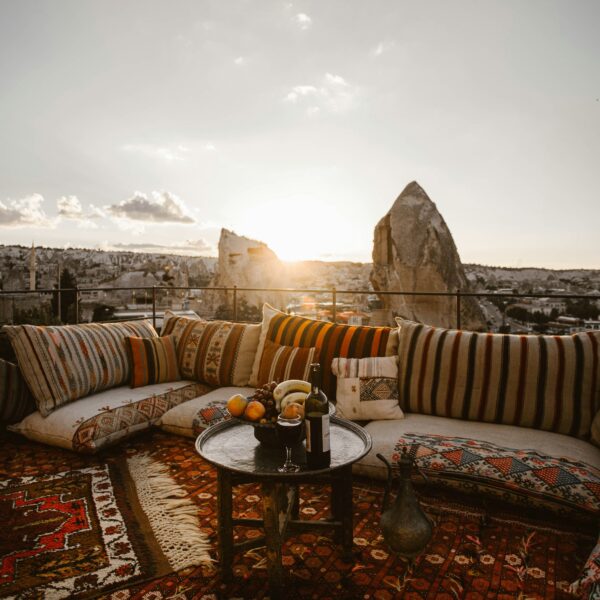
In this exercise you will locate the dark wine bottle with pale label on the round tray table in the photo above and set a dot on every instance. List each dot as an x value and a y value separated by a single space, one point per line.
316 416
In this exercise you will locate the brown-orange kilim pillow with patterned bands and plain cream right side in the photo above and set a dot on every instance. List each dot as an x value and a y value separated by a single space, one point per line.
218 353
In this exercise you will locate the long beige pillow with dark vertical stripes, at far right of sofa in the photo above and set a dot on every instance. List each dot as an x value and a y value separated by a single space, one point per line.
545 382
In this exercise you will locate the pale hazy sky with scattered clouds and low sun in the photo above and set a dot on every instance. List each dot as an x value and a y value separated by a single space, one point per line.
151 125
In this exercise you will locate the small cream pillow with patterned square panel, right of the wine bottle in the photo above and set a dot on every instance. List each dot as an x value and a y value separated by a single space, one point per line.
367 388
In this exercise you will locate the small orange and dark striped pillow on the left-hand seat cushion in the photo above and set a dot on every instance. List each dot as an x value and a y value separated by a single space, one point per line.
153 360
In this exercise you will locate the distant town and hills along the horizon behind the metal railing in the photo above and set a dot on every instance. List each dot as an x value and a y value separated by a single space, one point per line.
112 275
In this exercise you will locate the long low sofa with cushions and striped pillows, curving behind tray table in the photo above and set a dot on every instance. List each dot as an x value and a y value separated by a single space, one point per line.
512 416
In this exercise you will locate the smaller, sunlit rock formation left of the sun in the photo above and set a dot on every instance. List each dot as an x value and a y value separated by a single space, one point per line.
248 263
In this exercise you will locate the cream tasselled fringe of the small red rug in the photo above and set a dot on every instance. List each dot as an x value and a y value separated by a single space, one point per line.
172 515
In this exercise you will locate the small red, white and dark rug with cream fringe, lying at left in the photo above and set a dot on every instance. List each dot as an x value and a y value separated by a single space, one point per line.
78 533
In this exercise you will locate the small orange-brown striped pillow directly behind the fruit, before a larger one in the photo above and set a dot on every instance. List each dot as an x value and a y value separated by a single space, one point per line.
280 363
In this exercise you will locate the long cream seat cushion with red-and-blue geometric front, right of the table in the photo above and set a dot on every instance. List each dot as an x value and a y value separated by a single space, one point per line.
529 466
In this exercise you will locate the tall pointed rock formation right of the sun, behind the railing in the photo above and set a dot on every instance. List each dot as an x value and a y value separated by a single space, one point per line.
413 251
